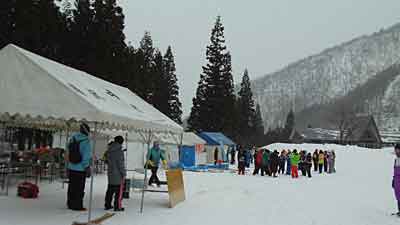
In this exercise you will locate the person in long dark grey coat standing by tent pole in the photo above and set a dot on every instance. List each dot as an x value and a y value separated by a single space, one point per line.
116 174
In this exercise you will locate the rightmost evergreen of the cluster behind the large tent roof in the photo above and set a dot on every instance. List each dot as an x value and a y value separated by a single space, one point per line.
171 84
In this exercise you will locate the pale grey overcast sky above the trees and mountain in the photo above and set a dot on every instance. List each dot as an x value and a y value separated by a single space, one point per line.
262 35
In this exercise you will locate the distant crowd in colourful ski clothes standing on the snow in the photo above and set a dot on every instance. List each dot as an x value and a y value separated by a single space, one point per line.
287 162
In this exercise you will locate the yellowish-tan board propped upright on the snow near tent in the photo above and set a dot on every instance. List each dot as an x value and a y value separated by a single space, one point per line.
176 189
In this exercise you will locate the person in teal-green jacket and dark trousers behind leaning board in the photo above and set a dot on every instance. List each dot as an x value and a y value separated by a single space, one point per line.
154 156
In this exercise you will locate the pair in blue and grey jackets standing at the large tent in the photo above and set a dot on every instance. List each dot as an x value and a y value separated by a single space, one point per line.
79 170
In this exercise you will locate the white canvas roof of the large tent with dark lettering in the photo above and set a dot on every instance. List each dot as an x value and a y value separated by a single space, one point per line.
34 86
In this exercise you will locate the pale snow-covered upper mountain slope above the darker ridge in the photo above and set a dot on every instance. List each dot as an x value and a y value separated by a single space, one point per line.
331 74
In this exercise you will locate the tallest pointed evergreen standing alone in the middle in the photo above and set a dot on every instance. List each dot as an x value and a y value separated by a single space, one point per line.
215 99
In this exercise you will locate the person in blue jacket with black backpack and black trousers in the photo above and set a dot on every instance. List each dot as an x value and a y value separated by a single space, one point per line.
79 157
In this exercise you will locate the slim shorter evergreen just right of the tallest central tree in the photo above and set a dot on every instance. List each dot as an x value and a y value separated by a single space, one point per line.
246 108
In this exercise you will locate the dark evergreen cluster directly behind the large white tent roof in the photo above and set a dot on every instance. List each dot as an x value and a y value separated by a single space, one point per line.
89 35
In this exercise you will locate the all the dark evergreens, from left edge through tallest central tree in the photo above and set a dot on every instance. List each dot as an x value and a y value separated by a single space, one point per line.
89 35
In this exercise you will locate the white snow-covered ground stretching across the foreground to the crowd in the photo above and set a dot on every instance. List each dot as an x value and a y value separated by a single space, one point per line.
358 194
